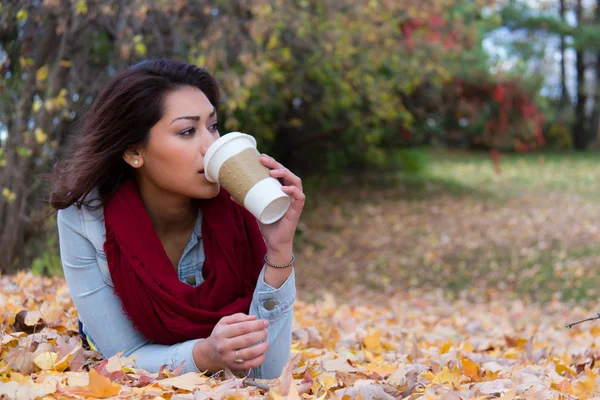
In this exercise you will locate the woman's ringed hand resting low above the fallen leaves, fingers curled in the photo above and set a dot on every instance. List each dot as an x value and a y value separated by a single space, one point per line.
237 332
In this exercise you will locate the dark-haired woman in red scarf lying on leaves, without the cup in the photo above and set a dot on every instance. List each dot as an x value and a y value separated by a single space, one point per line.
160 262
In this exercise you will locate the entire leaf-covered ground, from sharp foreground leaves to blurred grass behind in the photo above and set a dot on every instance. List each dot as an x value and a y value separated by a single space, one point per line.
454 284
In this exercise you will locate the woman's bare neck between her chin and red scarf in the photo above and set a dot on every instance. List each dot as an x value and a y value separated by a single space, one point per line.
170 213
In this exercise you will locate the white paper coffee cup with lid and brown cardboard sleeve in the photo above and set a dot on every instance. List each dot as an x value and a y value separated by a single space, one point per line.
234 163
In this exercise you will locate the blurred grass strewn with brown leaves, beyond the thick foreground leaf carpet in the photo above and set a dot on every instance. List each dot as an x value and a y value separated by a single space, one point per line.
532 231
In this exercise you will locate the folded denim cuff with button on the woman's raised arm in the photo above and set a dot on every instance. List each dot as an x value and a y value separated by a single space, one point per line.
271 302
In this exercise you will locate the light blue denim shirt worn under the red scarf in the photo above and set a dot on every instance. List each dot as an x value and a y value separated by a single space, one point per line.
82 235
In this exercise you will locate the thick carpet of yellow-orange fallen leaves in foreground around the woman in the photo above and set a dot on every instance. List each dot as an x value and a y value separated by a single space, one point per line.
413 345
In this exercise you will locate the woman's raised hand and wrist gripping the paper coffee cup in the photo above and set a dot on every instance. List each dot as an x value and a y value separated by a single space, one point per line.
279 236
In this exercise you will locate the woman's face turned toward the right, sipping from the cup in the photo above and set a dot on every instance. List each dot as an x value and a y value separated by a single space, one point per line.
173 158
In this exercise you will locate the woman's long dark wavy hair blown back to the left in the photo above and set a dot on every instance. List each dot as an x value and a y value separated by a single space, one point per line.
120 117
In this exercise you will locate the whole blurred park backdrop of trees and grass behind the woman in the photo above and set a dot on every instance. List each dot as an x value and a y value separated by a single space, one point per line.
444 144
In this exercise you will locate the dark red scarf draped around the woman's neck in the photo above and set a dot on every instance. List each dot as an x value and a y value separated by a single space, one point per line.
161 307
